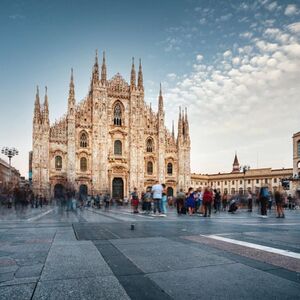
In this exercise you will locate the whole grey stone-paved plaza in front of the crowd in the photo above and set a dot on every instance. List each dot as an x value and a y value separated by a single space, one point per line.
51 253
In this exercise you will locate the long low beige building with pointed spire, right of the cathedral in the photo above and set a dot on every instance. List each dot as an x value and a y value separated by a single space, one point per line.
237 181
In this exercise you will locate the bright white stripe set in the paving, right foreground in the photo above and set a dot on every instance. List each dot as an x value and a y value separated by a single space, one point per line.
254 246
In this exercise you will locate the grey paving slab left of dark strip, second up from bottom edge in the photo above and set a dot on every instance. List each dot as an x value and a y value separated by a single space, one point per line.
74 260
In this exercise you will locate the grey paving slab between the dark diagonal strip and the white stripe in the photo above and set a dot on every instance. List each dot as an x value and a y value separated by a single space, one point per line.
167 255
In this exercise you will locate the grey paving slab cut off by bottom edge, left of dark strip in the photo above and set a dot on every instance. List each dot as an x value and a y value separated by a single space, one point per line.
107 287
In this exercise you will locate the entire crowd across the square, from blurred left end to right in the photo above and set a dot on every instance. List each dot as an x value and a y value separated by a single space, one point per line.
155 200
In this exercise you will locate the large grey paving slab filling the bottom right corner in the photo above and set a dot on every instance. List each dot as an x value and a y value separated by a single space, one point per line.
234 281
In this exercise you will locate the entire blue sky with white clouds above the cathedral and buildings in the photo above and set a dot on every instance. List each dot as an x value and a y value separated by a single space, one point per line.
235 65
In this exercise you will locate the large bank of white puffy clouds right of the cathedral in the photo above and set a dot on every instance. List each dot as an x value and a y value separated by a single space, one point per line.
248 101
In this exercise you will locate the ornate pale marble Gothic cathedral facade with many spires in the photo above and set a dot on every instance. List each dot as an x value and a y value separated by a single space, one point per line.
110 142
